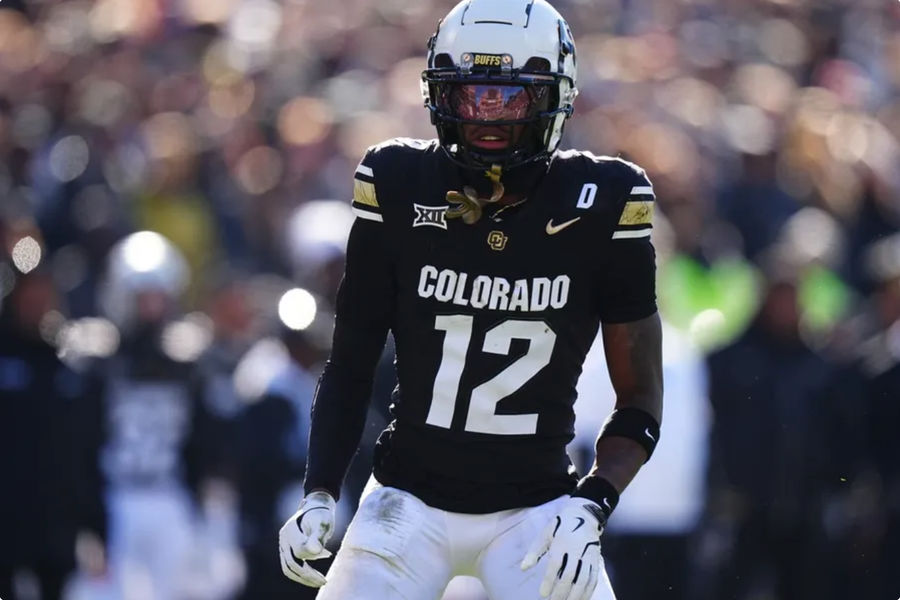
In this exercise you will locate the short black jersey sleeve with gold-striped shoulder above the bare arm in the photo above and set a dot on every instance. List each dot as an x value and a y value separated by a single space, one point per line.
628 292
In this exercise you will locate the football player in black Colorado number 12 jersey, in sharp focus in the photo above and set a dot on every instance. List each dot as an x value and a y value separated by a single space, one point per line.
494 259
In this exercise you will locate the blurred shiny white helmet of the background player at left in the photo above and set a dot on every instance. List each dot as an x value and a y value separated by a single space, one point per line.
142 262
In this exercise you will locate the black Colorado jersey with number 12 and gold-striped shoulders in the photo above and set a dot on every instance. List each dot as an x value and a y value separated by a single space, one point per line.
492 320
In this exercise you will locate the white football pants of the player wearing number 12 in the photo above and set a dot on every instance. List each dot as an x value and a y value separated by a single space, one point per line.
399 547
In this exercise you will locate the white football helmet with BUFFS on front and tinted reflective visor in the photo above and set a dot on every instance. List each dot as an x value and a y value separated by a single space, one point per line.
501 64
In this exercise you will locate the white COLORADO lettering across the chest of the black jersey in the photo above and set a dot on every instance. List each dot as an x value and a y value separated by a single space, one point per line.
493 293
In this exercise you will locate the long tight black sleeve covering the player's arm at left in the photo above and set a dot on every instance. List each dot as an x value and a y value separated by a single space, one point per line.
364 312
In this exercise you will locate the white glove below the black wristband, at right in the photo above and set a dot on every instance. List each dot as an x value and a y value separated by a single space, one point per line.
572 544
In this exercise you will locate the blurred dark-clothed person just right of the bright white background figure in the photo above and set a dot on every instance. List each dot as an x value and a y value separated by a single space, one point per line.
768 455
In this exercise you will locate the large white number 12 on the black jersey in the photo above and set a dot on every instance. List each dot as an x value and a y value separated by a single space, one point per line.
482 416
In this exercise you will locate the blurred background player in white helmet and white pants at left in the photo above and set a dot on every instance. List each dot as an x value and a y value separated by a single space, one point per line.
158 433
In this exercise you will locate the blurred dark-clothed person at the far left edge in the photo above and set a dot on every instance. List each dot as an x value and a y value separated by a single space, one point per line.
46 427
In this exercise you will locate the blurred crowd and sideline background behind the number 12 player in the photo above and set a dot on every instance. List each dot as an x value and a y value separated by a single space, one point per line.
174 186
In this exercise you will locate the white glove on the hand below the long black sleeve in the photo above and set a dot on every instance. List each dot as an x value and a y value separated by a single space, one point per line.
303 537
